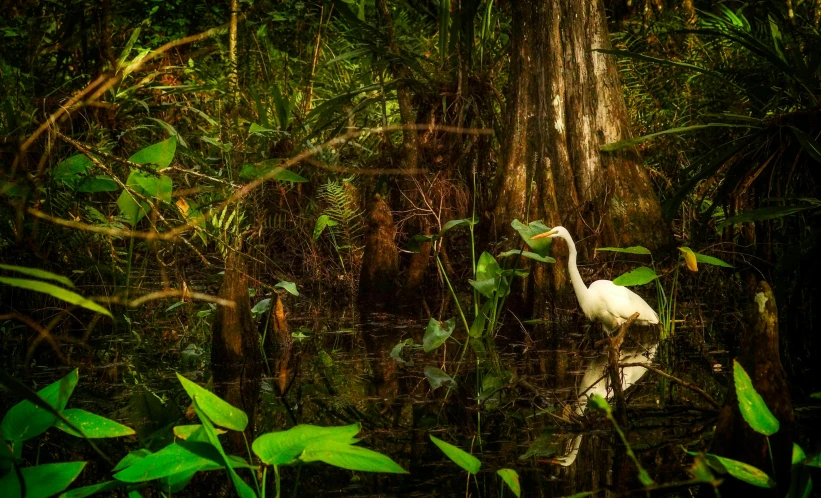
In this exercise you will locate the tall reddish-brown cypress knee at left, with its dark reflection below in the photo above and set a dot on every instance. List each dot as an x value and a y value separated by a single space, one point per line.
236 361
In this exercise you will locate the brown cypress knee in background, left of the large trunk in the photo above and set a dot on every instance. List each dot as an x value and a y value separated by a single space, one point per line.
380 262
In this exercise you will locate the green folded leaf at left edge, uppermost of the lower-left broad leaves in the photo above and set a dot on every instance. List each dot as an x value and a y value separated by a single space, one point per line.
25 420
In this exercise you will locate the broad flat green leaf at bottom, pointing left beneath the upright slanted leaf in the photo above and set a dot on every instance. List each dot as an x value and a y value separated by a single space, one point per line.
175 458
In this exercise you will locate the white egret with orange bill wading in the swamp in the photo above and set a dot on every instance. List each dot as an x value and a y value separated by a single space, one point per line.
603 301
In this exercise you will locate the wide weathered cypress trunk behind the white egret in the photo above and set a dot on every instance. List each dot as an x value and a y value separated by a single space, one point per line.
564 102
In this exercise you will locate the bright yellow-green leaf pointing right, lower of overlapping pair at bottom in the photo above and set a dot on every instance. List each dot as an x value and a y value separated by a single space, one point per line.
348 456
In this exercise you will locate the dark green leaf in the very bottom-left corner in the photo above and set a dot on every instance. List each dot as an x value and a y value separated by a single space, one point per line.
41 481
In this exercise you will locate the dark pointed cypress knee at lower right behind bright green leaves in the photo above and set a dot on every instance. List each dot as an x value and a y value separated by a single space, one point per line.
734 438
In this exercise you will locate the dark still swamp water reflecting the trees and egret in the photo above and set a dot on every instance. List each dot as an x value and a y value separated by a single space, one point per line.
513 408
